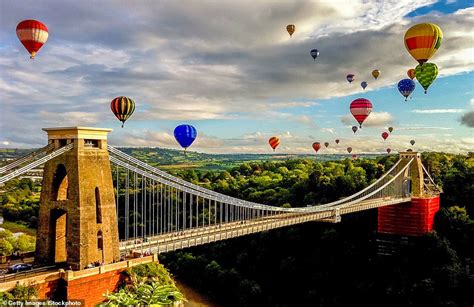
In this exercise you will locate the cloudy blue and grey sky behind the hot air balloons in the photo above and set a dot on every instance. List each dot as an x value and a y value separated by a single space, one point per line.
230 69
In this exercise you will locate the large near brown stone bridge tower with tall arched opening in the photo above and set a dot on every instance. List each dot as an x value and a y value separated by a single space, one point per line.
77 222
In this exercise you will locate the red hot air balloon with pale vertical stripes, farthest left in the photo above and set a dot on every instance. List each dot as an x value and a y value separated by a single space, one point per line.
32 34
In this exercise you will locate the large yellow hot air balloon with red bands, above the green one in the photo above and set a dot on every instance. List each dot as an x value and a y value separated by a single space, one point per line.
423 40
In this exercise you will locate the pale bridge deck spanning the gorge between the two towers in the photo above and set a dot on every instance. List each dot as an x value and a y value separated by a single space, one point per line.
197 236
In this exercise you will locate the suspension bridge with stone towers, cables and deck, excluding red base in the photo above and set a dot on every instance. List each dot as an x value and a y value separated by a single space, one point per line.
101 204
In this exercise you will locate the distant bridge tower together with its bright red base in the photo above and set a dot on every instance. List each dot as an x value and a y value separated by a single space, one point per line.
413 218
